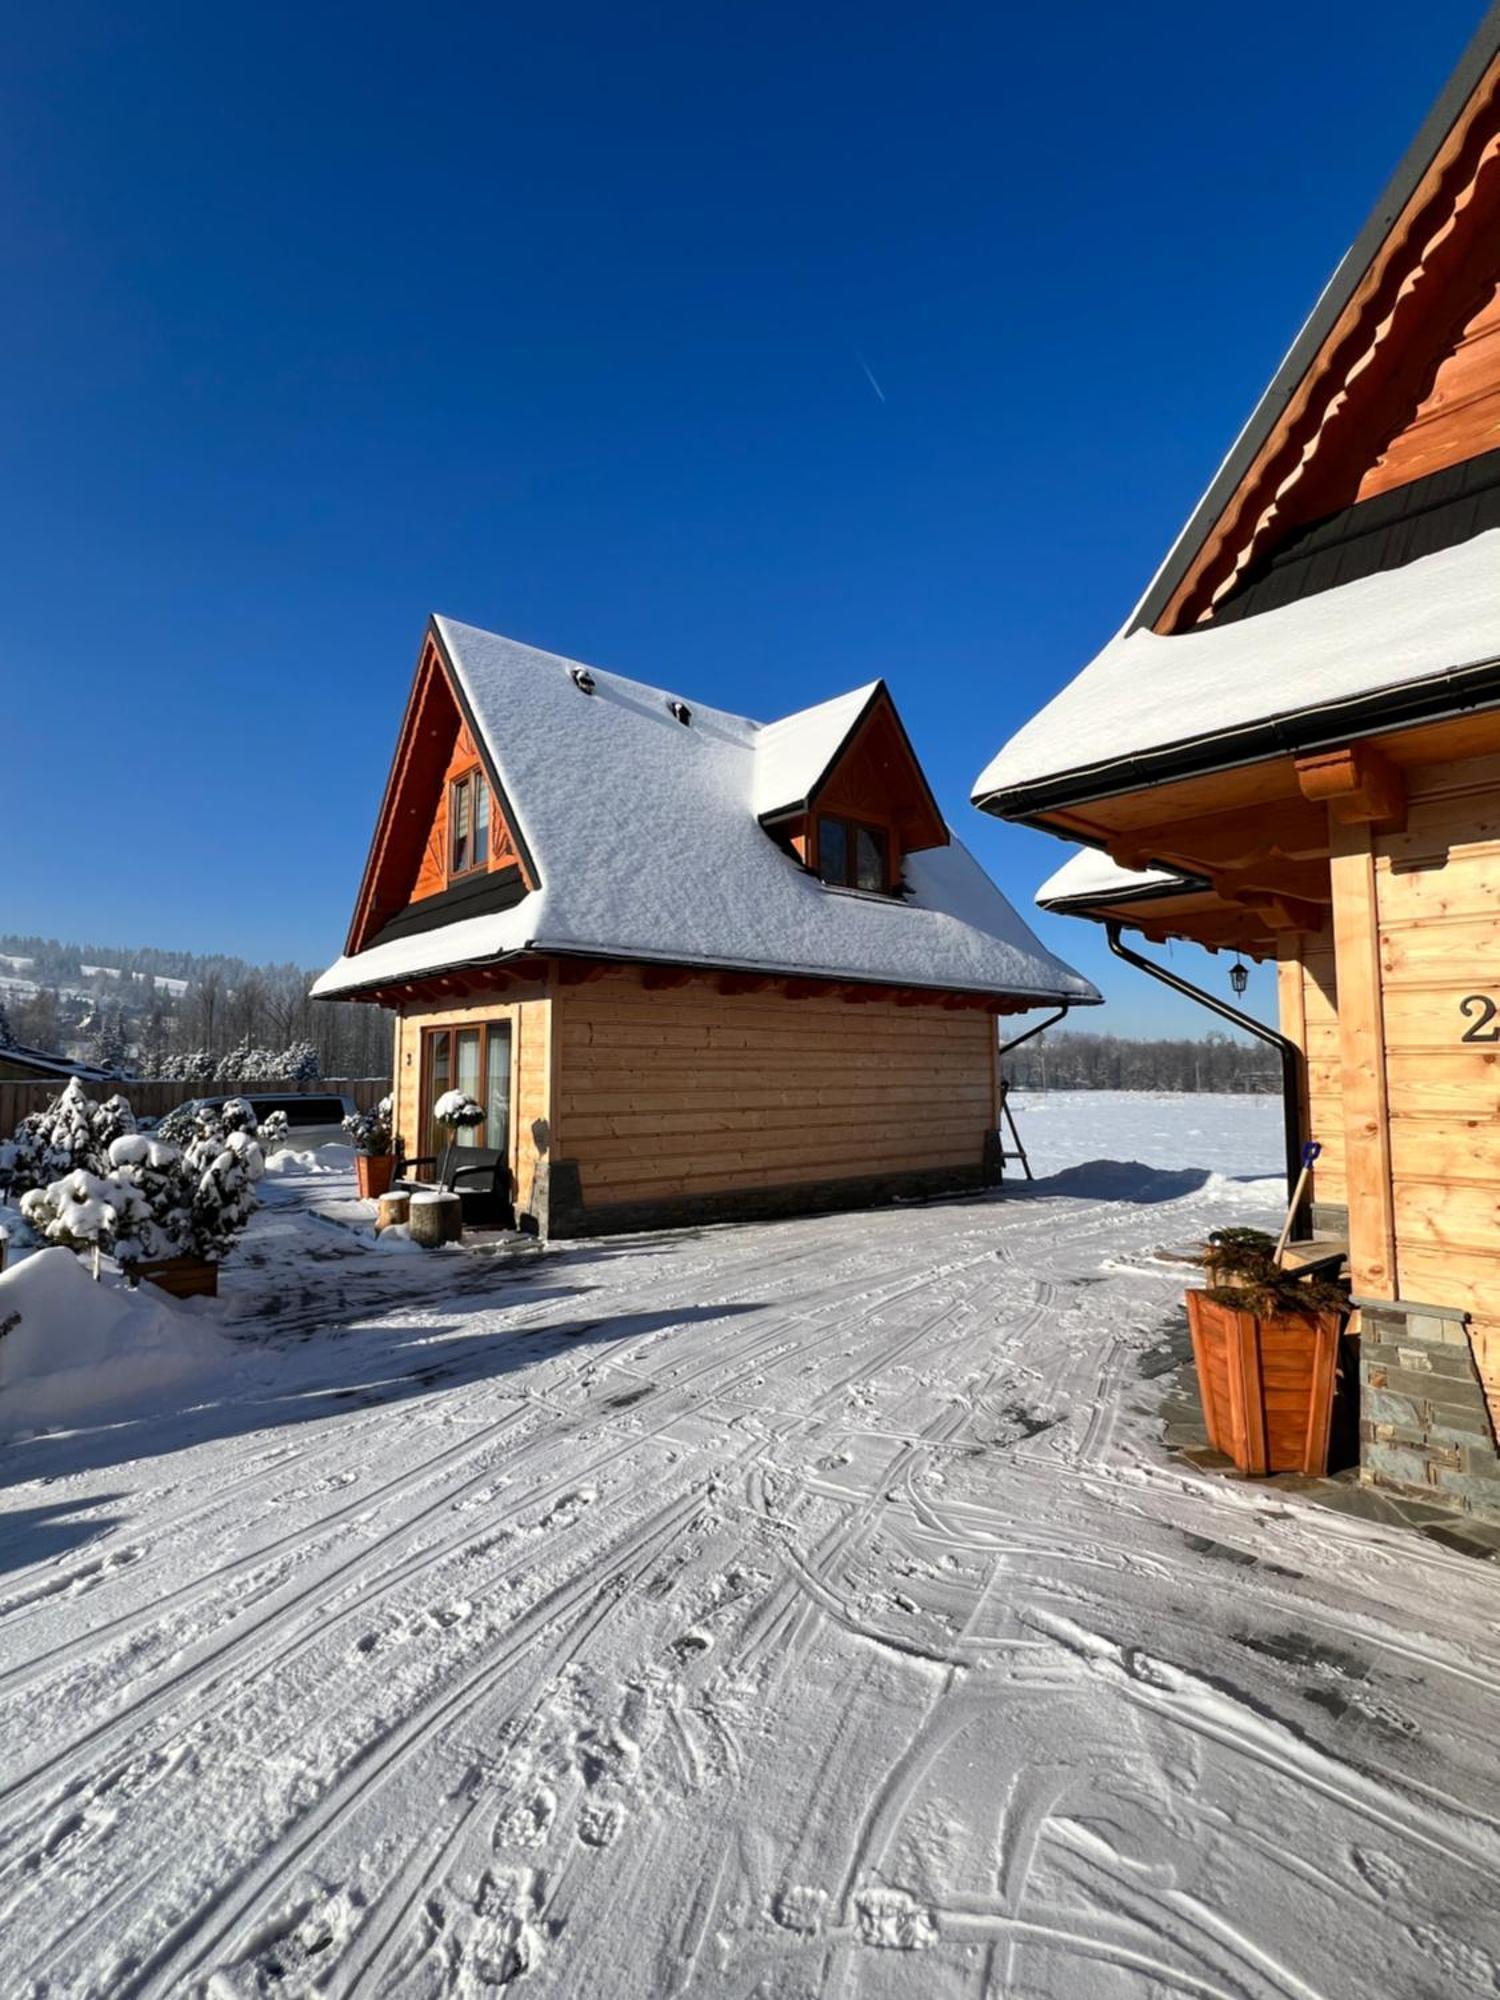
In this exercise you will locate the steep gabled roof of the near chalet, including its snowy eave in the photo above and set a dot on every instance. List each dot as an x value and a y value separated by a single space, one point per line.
1311 599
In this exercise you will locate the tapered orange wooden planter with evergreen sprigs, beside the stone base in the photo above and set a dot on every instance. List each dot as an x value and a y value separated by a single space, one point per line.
1265 1343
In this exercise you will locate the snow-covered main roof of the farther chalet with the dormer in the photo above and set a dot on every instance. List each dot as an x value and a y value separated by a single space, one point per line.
647 843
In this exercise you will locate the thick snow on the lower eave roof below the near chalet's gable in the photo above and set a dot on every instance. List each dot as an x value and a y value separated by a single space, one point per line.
1219 685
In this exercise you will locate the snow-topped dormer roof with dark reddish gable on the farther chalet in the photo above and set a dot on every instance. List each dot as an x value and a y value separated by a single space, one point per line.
849 757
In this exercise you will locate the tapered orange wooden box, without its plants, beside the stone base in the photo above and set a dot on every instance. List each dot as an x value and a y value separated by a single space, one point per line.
1267 1385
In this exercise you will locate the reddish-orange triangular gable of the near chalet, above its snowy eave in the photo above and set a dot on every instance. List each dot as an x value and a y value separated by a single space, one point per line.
1393 377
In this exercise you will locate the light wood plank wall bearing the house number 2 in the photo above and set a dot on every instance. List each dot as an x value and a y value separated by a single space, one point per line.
1439 891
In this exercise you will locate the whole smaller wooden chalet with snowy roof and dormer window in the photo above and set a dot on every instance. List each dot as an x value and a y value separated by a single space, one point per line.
691 967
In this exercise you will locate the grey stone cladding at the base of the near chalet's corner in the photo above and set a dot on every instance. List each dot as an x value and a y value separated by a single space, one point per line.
1425 1423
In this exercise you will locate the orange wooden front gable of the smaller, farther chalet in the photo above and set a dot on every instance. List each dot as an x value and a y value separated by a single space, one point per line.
409 855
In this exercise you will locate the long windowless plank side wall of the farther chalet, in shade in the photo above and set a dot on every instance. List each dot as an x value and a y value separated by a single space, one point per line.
689 1091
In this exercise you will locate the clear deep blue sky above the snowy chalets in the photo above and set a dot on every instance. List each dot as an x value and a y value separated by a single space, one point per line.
559 321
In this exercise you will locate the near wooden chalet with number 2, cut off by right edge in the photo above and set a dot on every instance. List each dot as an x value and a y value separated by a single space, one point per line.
1293 751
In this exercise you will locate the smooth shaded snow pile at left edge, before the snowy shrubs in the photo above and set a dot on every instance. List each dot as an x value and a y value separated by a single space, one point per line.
73 1351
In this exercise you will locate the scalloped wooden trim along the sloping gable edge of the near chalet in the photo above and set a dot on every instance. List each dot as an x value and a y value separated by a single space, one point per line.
1405 227
